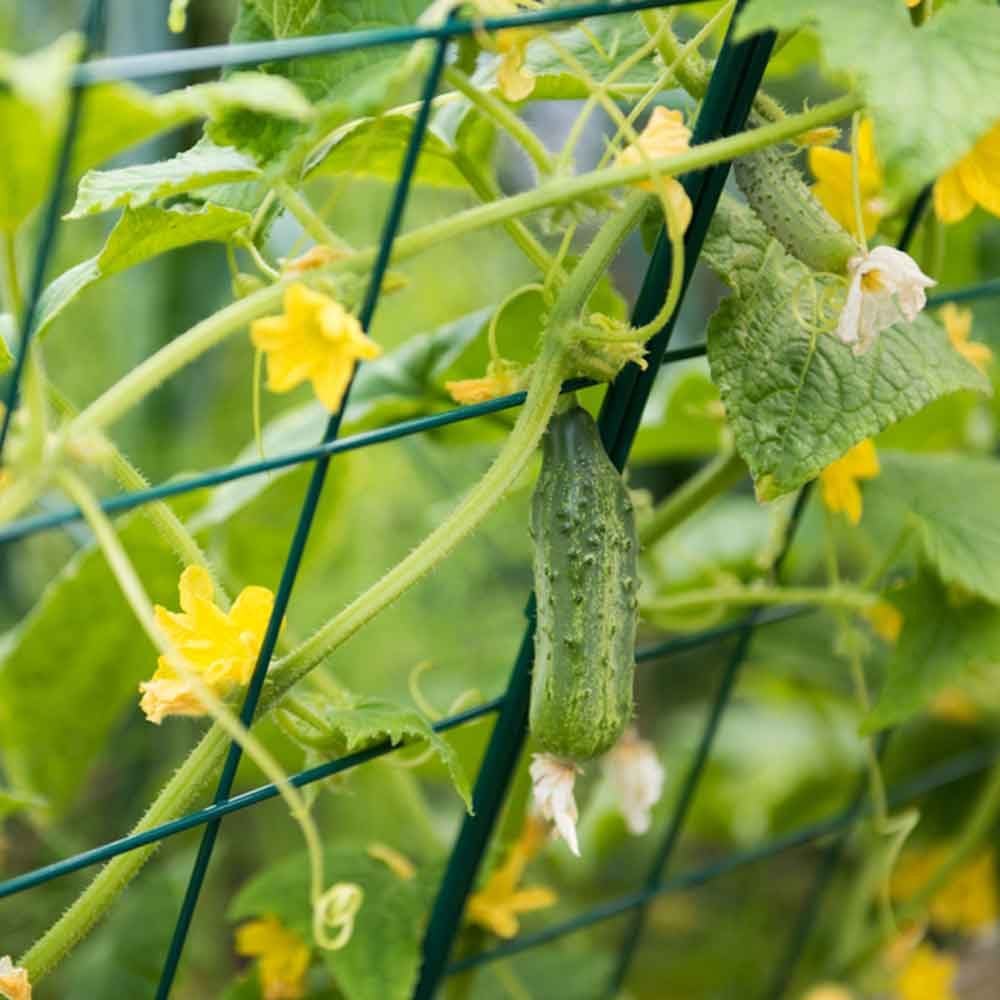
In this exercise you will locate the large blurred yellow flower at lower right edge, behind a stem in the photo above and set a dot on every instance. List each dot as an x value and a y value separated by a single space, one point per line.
966 904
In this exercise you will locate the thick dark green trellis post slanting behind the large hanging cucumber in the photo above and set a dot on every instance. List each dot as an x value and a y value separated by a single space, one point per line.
734 83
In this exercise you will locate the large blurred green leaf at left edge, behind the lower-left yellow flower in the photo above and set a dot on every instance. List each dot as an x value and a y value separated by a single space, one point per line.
63 683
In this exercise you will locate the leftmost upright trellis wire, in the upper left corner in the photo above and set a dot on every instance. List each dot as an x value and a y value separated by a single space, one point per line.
50 220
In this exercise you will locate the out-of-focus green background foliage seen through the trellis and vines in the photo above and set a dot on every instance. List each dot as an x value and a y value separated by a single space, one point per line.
787 753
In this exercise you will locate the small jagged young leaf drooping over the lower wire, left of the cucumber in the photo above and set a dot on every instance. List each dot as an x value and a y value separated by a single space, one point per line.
364 722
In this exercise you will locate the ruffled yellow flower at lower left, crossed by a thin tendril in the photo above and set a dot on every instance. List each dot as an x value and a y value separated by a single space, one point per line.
220 647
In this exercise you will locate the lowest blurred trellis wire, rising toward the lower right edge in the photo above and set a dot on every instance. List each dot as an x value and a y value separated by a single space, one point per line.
948 771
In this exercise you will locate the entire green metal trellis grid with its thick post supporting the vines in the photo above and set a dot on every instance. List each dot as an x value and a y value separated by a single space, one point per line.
734 83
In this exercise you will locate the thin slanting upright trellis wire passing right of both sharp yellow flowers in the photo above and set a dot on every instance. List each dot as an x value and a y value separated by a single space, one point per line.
302 529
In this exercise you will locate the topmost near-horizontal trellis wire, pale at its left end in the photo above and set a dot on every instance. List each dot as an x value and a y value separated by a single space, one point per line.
155 64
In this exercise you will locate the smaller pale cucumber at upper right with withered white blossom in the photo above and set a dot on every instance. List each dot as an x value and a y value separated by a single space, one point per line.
793 216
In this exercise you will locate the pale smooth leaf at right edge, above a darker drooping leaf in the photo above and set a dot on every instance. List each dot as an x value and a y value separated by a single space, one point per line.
947 500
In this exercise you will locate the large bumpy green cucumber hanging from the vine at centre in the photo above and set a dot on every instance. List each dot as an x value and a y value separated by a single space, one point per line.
586 578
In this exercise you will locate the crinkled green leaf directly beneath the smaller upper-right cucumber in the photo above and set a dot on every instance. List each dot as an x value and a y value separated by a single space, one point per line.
798 400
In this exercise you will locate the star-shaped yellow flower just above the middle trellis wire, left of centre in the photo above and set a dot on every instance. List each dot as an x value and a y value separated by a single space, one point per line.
316 339
